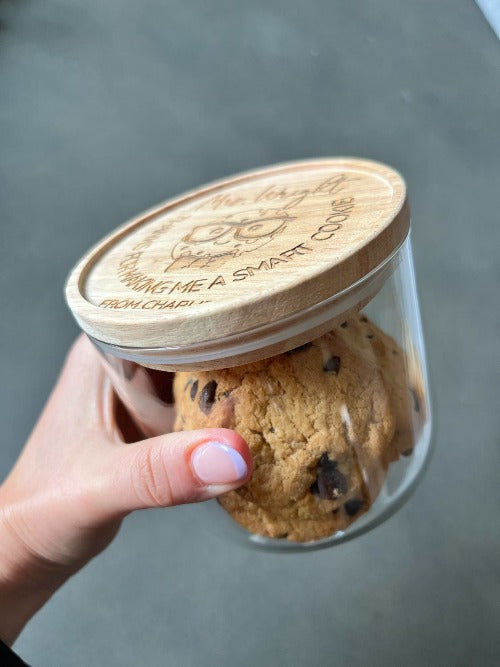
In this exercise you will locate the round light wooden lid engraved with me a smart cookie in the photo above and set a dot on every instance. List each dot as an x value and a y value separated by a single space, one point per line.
239 253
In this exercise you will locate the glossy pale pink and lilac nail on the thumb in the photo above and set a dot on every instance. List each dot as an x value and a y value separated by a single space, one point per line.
215 463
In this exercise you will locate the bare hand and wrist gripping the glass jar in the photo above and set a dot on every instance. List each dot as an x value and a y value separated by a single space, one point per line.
76 480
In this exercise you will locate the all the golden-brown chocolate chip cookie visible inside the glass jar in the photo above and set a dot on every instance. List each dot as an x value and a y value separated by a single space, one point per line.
323 422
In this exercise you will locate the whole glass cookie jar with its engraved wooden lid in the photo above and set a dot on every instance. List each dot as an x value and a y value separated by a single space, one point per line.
280 303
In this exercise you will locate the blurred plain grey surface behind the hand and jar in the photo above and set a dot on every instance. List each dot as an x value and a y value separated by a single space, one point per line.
109 107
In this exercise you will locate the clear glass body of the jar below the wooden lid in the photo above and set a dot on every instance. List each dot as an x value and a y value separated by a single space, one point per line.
339 426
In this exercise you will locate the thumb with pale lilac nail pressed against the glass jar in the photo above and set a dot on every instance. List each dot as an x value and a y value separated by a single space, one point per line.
172 469
